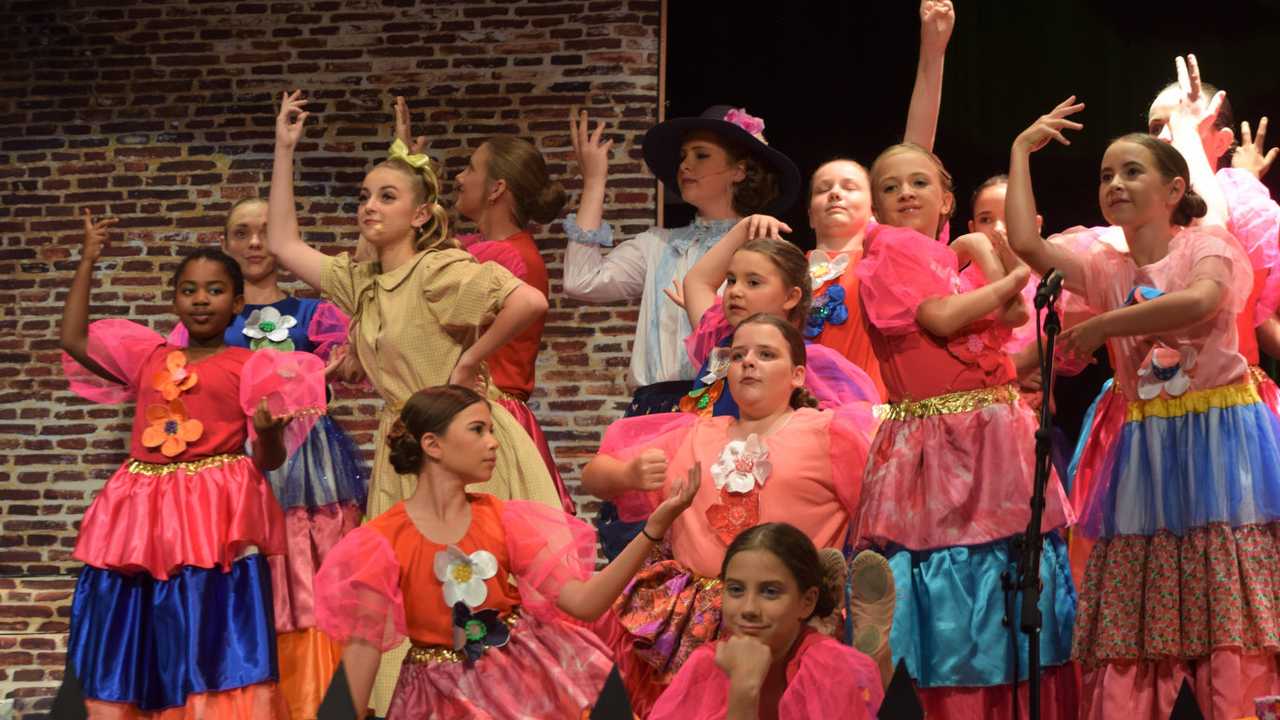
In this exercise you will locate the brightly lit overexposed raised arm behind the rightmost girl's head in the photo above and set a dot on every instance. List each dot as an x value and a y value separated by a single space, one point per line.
1192 113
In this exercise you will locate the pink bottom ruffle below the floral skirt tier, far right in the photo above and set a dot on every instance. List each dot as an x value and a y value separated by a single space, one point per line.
1226 686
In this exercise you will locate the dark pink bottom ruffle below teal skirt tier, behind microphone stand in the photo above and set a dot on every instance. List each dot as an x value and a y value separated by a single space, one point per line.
1060 699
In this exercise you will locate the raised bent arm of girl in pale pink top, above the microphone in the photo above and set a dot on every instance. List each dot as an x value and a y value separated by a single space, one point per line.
1025 236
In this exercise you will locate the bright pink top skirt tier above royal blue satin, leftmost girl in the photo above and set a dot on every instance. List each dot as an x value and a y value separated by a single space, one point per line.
157 525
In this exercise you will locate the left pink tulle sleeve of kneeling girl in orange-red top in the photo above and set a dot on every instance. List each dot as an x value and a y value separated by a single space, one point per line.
358 593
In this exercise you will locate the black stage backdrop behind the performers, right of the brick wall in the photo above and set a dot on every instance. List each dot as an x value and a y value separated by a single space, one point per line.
835 79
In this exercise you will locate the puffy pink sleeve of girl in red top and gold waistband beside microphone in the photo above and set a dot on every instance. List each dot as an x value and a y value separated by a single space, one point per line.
900 271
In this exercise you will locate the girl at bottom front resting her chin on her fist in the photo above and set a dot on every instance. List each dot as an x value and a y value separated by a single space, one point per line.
772 664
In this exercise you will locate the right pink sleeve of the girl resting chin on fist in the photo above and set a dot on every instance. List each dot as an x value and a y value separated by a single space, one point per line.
834 681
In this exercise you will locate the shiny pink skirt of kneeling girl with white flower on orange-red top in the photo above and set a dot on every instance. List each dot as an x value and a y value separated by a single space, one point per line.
546 671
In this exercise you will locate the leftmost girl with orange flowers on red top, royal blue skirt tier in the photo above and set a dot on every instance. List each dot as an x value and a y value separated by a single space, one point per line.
172 616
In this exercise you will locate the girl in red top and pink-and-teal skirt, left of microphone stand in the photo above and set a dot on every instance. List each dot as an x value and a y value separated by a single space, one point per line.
949 477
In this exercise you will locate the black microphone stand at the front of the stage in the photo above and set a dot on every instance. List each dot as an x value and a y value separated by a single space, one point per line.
1032 544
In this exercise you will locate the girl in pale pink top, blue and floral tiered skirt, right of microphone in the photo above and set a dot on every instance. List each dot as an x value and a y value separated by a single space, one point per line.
1182 582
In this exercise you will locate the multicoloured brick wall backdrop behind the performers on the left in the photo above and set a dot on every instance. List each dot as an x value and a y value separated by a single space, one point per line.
162 113
